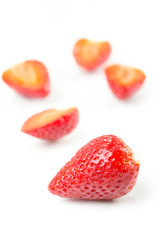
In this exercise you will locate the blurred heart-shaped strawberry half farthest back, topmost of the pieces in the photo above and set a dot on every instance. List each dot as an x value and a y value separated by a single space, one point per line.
89 54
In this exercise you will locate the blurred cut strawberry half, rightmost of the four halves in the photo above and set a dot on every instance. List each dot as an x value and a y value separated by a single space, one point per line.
124 81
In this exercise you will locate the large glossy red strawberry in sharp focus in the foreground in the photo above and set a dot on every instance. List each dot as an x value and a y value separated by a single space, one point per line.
104 168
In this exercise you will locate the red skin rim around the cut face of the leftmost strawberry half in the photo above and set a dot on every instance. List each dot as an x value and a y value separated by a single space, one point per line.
38 91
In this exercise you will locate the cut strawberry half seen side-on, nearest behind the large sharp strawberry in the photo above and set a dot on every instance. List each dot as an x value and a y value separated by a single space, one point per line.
51 124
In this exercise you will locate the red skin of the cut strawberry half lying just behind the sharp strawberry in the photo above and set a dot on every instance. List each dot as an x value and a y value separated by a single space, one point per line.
58 128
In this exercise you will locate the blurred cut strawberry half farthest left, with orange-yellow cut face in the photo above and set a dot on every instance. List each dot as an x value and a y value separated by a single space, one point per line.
29 78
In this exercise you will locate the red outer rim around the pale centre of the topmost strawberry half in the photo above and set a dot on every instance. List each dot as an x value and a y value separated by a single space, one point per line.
98 61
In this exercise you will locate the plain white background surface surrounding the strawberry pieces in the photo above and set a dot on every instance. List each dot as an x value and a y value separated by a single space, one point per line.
46 30
